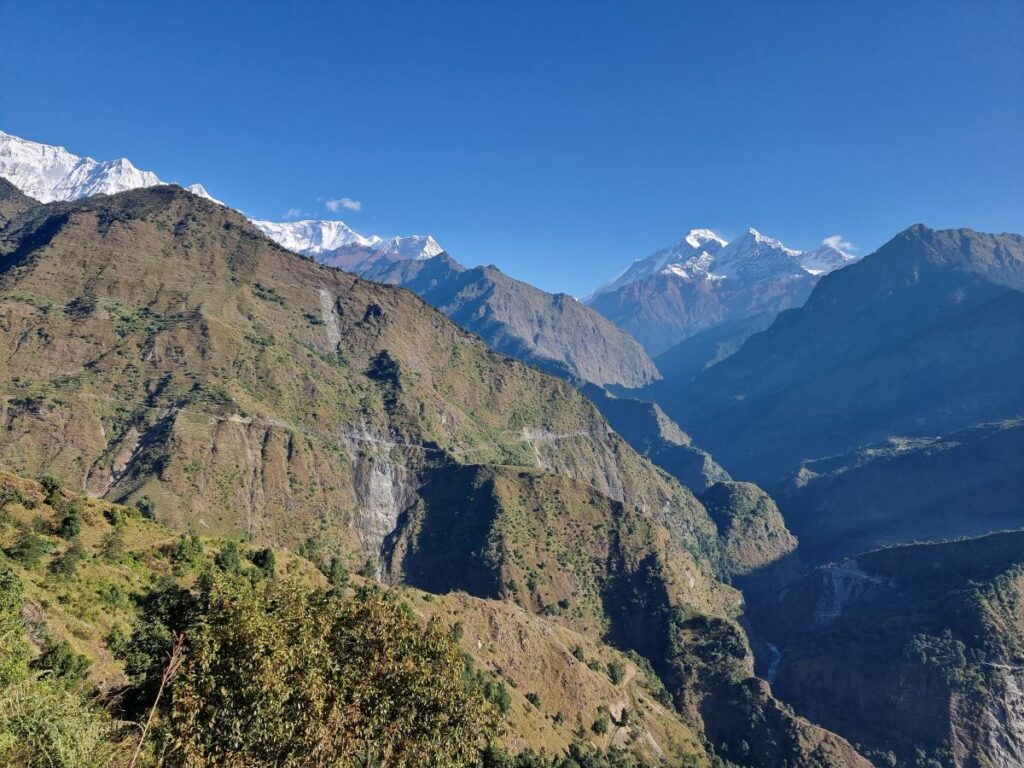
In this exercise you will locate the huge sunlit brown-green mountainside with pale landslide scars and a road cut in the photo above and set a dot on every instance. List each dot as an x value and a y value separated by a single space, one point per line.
154 344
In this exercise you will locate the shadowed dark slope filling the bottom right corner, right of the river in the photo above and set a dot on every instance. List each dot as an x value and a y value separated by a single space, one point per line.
915 652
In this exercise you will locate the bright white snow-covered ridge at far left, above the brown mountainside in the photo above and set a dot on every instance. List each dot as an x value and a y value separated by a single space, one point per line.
49 174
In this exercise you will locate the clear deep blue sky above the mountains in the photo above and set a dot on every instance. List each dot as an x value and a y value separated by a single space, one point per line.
559 141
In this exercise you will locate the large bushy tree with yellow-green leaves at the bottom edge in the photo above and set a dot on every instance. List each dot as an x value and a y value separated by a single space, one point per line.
282 676
